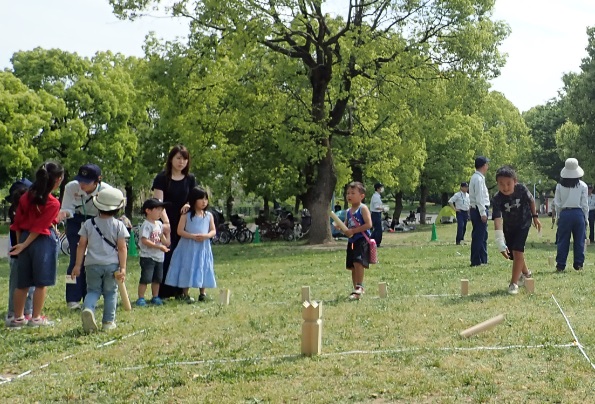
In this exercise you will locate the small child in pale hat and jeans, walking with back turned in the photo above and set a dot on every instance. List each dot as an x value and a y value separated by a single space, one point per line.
104 240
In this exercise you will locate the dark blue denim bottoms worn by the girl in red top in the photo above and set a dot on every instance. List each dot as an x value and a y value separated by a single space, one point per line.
38 263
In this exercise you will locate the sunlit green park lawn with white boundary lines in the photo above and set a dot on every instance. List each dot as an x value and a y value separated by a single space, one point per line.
405 348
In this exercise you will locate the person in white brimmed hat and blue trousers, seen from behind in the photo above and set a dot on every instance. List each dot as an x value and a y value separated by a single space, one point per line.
572 208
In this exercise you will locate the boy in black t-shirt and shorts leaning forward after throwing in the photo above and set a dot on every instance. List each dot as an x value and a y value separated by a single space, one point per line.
515 206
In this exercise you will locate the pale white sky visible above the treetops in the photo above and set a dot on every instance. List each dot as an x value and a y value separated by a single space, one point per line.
548 37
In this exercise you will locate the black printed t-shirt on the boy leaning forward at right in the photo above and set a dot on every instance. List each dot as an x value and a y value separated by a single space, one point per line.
514 209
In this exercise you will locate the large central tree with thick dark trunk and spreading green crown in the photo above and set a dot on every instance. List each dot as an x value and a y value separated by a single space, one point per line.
372 35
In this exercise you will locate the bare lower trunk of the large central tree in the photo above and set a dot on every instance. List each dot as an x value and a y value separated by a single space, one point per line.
318 198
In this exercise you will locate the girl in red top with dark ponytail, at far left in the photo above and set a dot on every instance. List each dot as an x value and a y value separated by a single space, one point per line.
37 247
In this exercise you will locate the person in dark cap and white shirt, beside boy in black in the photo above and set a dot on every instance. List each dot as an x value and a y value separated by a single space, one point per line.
479 200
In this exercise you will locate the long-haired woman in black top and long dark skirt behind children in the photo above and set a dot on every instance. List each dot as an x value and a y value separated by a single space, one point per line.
173 185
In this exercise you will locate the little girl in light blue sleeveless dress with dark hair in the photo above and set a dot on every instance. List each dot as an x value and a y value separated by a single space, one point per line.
192 261
